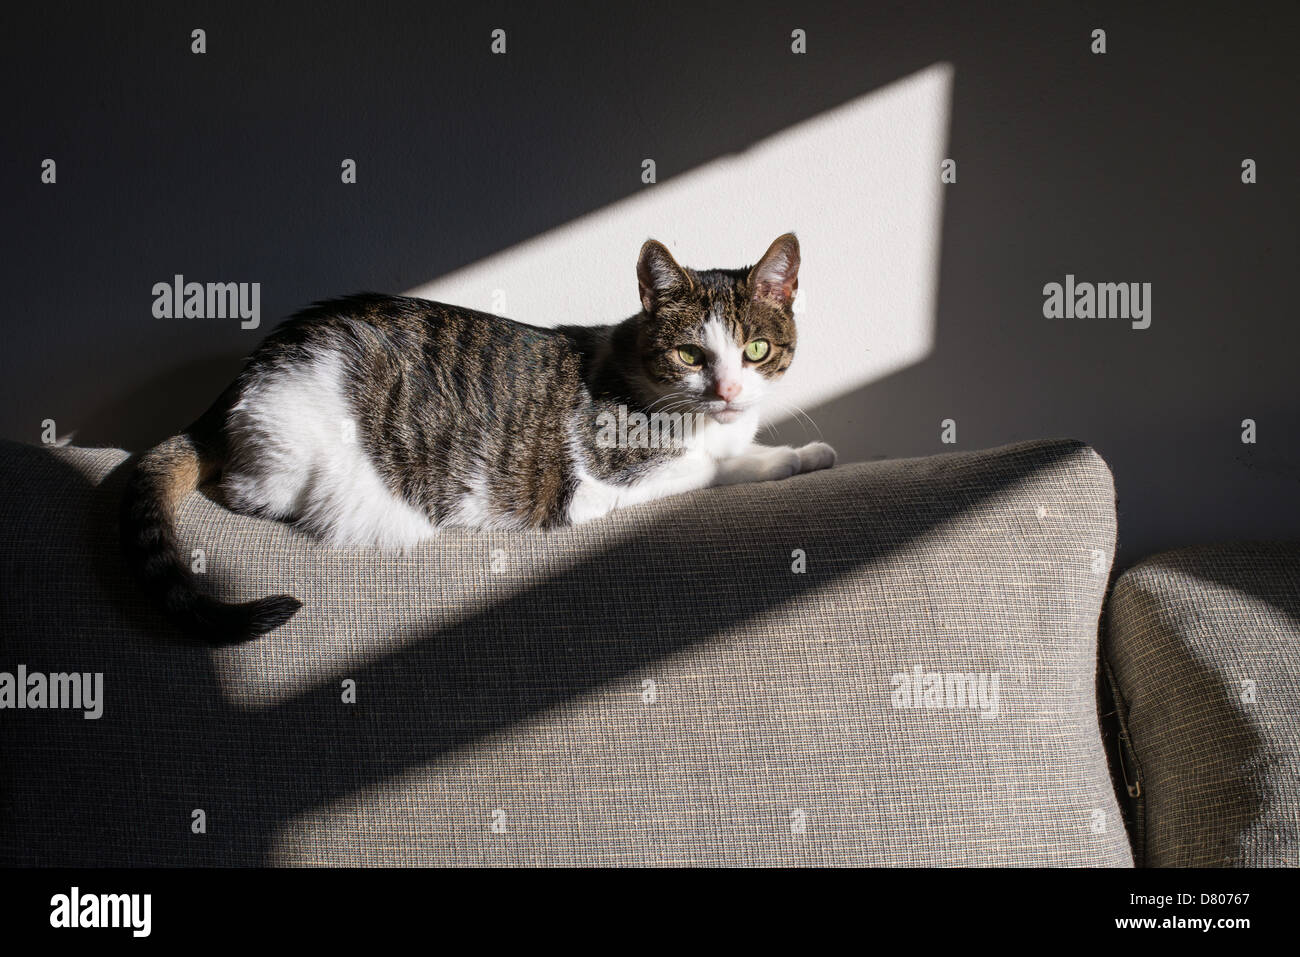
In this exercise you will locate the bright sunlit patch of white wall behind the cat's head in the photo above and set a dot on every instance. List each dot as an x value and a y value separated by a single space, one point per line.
859 184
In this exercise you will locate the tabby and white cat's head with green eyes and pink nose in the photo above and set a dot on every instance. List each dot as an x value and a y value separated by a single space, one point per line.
716 341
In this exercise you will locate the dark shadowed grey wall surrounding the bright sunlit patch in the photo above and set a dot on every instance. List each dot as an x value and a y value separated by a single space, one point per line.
1117 168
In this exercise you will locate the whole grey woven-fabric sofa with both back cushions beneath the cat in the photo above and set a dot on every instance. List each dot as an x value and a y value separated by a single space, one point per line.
909 662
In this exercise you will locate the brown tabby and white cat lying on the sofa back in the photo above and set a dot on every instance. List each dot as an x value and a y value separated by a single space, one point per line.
376 421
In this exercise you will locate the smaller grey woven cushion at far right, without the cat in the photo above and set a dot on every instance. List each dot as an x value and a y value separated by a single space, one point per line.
1204 649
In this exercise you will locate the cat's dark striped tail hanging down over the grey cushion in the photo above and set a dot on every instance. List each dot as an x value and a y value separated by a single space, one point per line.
162 479
